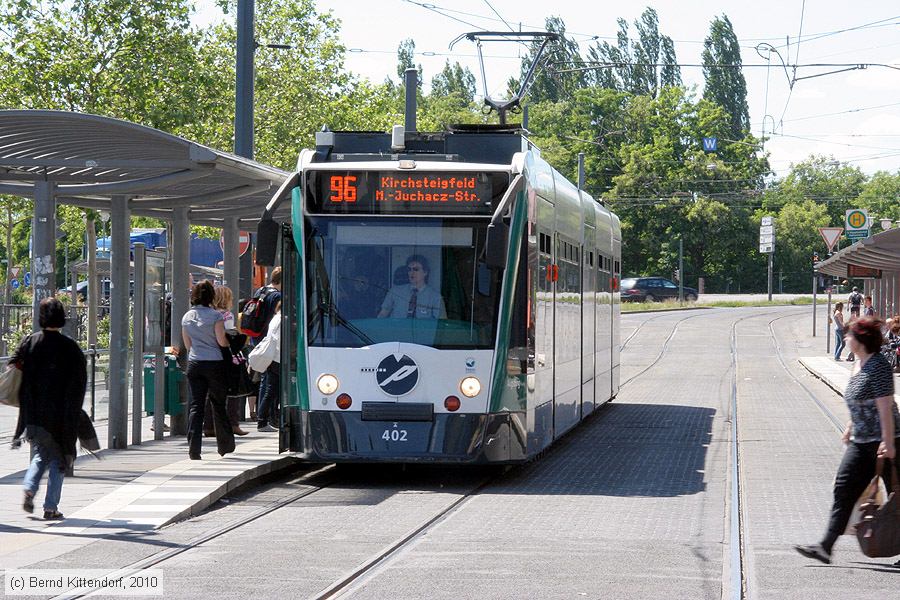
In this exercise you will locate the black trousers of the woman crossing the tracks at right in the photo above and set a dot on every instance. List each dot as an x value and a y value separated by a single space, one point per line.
854 475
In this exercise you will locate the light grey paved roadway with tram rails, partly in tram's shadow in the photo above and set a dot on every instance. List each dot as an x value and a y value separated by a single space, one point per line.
635 503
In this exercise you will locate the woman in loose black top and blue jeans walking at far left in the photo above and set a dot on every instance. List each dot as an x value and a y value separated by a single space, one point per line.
54 378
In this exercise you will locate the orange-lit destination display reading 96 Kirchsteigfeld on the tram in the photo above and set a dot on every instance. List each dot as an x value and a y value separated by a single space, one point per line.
403 192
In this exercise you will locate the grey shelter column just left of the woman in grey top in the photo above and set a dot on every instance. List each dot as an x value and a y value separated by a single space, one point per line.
181 285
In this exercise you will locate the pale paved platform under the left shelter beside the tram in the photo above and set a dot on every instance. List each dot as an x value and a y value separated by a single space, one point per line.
126 492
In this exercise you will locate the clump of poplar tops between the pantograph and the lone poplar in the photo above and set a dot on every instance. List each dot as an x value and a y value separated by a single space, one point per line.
641 66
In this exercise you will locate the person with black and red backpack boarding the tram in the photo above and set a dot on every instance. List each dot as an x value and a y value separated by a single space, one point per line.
255 318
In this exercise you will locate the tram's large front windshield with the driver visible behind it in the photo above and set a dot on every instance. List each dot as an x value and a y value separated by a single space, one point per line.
407 279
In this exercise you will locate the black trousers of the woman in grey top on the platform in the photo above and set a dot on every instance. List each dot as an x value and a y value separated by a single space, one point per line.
207 378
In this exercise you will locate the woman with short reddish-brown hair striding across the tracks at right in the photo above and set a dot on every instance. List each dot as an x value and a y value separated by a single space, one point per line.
873 431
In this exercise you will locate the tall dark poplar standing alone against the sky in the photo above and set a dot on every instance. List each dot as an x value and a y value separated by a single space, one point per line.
725 84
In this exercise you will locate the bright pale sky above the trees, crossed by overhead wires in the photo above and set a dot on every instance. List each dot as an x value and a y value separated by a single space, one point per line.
852 116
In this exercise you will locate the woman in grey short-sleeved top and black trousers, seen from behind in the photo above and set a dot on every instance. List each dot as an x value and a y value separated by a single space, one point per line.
203 331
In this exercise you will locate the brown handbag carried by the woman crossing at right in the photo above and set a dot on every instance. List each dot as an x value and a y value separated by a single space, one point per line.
878 532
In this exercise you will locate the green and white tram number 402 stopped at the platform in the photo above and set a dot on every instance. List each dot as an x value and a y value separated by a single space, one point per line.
448 297
